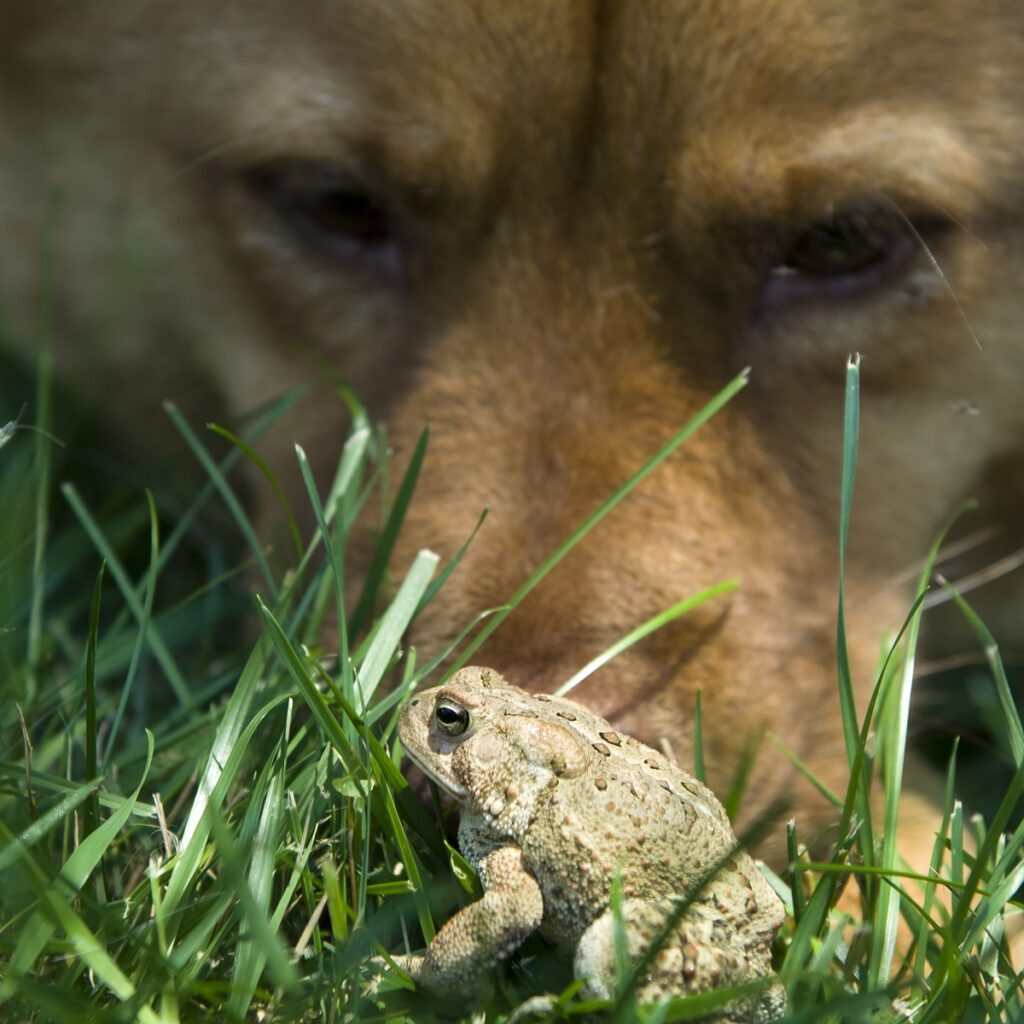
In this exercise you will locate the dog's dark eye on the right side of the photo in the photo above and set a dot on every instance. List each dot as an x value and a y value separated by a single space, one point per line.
860 248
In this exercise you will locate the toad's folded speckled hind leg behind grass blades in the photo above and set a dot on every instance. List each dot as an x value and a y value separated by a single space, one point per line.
701 953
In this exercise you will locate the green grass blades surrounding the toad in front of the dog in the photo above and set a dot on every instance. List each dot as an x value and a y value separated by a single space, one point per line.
199 828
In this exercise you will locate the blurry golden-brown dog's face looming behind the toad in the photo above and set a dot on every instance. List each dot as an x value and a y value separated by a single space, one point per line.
552 233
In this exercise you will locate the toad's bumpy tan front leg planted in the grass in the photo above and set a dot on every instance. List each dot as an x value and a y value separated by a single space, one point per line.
486 932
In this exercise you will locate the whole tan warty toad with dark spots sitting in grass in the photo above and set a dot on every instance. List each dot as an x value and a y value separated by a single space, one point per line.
554 805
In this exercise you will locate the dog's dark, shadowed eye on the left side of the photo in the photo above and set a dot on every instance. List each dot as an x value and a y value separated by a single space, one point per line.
331 214
